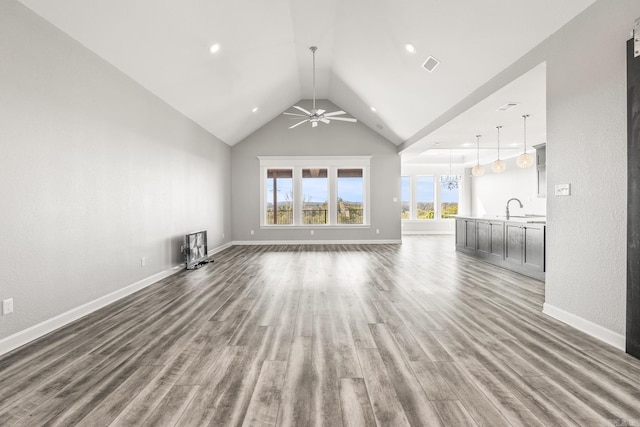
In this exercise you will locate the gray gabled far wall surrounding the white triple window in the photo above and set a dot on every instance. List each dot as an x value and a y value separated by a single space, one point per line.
335 139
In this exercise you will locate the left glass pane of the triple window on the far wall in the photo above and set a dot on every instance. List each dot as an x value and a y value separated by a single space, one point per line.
279 187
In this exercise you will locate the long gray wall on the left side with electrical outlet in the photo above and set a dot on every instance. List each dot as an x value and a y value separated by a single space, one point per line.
95 173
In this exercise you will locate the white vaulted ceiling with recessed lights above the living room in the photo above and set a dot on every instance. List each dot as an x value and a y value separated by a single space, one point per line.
264 60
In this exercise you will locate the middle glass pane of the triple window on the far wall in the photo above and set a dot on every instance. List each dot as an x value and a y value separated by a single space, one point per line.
315 196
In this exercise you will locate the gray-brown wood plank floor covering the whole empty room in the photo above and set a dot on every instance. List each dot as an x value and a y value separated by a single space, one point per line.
389 335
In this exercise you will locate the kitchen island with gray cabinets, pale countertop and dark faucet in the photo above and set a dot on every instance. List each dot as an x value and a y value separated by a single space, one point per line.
517 243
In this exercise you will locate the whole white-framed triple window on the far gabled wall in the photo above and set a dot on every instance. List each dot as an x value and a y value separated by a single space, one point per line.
311 191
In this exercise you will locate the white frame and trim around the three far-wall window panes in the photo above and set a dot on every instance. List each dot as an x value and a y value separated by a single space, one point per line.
332 164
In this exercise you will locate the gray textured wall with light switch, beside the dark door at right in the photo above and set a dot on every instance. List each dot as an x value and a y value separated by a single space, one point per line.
587 132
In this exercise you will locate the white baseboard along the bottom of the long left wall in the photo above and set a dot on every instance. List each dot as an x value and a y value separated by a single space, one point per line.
34 332
